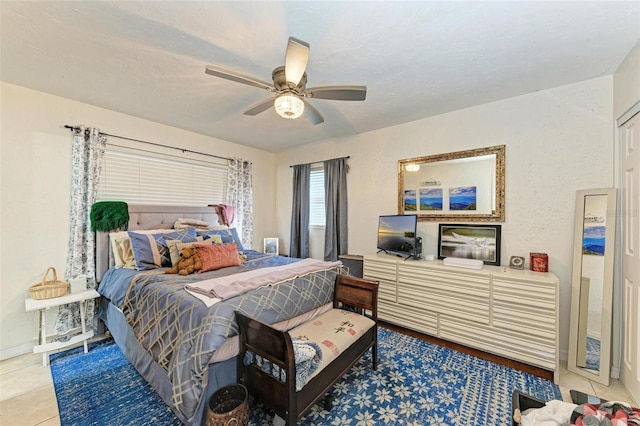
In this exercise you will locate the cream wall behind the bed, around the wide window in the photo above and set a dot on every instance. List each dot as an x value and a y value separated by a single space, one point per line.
35 179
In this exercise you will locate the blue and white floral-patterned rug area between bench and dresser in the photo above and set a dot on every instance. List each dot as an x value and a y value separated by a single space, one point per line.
420 383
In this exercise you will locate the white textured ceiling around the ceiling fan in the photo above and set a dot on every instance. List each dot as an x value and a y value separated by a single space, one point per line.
418 59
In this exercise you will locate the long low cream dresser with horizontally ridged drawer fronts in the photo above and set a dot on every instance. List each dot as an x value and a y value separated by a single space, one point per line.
507 312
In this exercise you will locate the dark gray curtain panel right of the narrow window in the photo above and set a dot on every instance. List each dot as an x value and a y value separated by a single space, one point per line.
335 189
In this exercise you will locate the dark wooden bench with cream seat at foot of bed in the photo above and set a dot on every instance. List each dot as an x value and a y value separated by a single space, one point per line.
358 332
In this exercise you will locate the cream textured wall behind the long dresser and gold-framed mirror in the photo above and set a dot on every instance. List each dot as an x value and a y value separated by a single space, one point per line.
558 141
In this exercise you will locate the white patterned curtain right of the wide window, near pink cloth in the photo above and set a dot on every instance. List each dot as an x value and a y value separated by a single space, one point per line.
240 196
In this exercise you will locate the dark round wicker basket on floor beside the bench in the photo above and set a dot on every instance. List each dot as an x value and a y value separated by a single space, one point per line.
229 406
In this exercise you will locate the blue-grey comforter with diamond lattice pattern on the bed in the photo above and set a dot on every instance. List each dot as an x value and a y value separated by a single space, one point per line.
182 333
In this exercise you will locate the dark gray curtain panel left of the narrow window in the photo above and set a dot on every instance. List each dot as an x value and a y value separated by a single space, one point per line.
299 242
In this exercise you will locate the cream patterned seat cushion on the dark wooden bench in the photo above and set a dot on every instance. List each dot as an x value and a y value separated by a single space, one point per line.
333 331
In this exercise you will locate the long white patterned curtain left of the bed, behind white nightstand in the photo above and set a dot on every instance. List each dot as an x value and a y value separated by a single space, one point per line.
87 154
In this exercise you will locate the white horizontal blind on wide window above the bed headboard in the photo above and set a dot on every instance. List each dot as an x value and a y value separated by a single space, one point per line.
146 179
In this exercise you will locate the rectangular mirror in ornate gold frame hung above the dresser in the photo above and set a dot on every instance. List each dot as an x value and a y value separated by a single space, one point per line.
456 186
